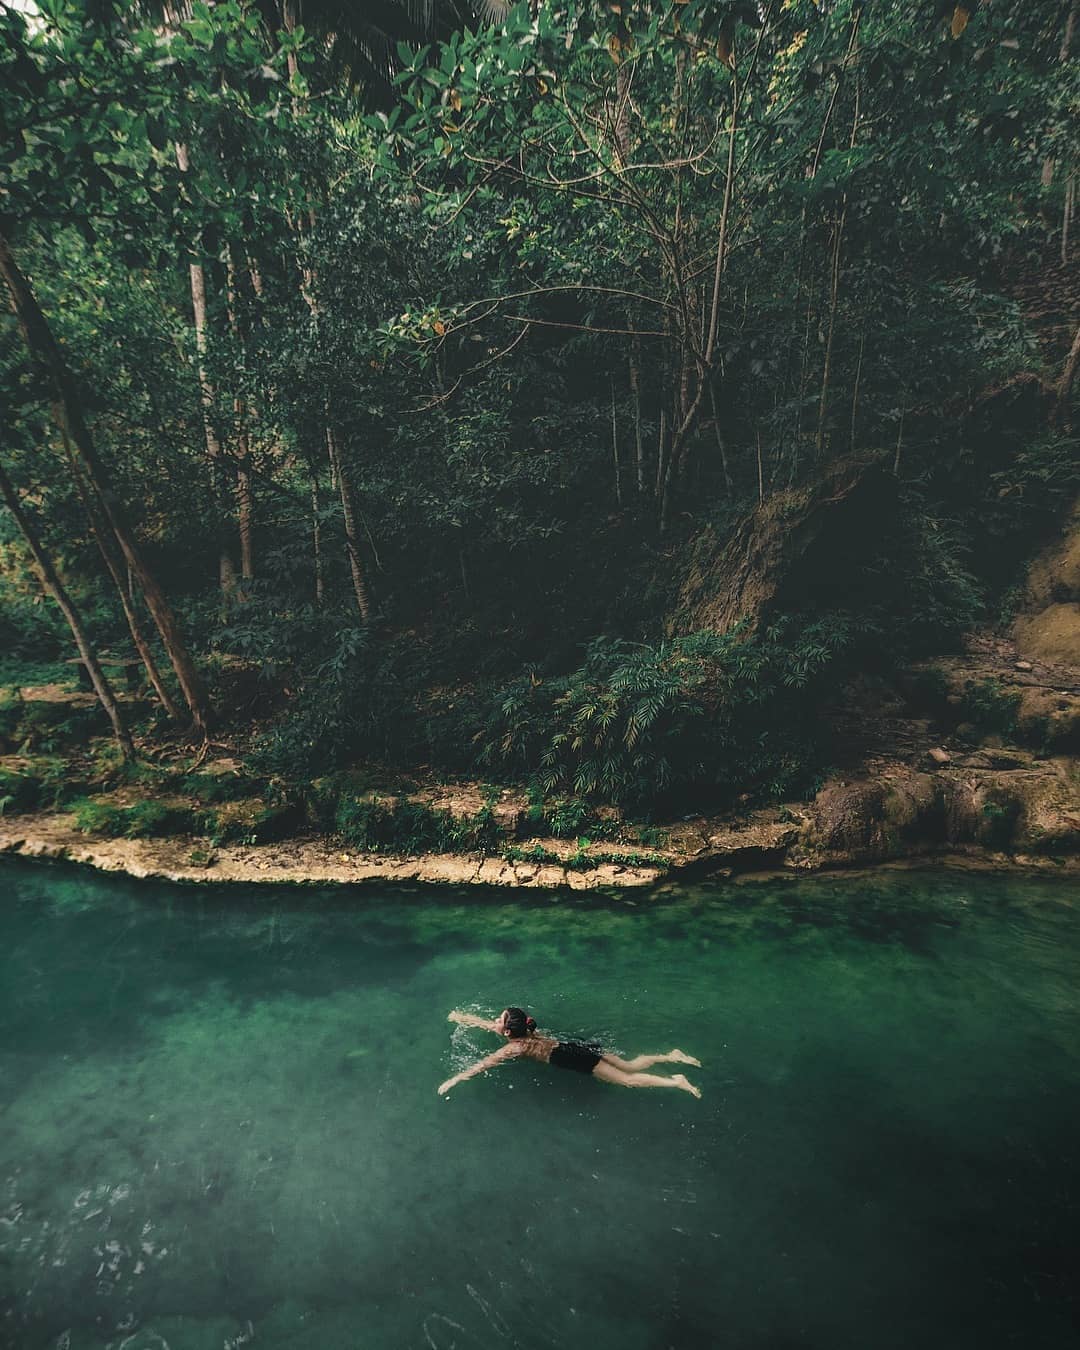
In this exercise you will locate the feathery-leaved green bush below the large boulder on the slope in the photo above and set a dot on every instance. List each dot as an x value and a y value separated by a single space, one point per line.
637 724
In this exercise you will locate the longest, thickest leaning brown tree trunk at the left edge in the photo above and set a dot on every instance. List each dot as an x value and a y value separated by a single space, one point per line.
68 414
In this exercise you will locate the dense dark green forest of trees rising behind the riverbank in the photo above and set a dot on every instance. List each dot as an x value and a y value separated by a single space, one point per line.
581 396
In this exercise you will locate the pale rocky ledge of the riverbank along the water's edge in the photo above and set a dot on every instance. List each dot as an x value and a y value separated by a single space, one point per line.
986 808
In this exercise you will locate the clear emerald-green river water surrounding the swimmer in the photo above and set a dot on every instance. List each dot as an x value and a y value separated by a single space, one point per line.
219 1124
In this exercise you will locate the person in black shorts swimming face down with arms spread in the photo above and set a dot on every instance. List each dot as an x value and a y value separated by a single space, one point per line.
524 1043
